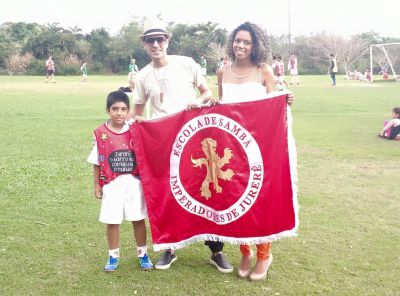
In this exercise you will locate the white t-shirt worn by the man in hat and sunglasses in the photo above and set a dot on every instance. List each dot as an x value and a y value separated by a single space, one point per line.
177 81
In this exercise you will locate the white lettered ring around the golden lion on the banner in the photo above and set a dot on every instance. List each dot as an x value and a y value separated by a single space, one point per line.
255 162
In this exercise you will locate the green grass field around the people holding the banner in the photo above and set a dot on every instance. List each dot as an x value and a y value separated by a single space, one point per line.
51 242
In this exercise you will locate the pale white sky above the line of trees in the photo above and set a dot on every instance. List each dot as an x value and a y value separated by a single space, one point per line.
343 17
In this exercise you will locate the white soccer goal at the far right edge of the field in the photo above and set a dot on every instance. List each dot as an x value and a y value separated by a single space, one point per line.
385 61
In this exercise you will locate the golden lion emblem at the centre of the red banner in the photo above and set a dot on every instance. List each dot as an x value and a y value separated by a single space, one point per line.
214 165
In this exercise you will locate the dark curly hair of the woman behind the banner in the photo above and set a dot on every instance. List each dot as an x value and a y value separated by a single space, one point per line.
261 51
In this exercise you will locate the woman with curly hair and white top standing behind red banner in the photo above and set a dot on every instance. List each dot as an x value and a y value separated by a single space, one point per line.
248 77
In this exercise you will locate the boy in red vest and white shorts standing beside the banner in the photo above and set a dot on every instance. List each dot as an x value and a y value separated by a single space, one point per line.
116 181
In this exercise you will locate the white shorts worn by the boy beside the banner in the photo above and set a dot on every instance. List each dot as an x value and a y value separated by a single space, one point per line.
123 199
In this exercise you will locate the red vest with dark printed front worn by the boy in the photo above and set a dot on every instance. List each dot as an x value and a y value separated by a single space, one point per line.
116 155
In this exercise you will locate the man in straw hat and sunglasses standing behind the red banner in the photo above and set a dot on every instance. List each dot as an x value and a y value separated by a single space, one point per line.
169 83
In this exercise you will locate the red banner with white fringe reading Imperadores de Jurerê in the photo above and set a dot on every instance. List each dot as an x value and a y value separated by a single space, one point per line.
226 172
